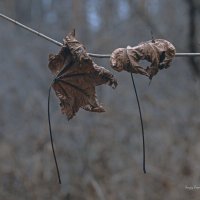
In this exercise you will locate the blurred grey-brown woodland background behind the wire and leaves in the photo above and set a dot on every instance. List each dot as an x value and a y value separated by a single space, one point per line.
99 155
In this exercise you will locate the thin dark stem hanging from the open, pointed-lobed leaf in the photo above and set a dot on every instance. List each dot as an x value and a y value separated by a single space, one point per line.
51 137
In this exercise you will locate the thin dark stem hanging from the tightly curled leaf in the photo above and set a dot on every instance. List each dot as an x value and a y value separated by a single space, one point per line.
141 121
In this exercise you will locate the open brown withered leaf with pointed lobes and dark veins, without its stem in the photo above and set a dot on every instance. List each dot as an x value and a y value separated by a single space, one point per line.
76 78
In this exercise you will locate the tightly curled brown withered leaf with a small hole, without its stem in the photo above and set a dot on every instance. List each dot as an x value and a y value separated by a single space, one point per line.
158 52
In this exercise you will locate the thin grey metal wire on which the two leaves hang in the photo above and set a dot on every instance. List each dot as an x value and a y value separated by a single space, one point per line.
90 54
